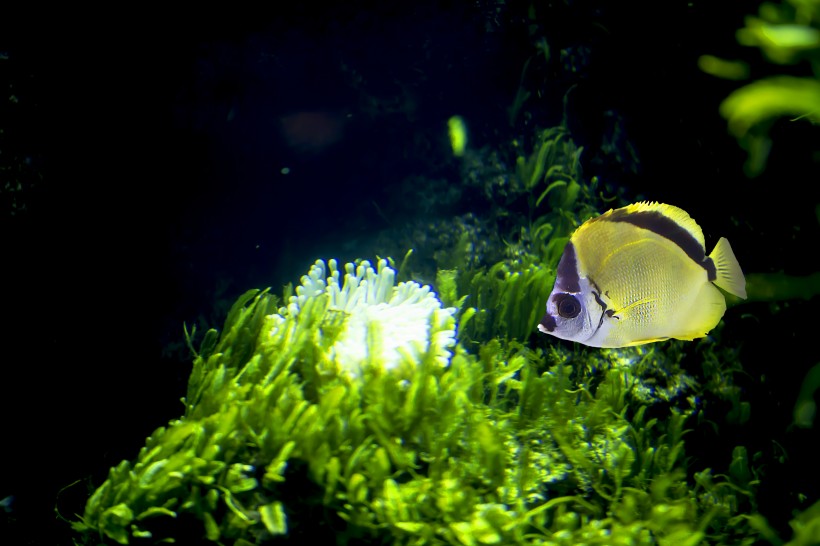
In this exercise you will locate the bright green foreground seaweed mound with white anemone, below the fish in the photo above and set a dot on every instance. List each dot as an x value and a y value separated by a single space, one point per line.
353 413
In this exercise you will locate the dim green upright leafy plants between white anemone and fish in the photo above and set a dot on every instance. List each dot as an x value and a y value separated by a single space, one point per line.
509 294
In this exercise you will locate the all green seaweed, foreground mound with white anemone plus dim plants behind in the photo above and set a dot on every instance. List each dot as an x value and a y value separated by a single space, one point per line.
357 410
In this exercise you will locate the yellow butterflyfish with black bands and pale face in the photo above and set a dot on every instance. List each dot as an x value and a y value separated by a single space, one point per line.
640 274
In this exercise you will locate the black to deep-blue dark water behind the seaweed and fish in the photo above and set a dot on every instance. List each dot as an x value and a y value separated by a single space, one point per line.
151 149
